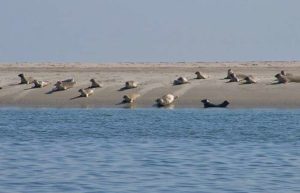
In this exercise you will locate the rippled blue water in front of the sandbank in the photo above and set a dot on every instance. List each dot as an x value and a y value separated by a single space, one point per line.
149 150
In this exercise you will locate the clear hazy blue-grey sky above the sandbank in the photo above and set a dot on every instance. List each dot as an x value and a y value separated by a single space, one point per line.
149 30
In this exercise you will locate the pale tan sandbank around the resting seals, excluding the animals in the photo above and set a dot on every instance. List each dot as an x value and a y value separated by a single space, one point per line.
155 80
